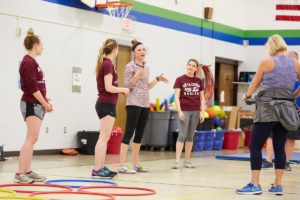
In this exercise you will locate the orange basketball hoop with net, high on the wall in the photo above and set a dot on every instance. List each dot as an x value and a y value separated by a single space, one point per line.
118 9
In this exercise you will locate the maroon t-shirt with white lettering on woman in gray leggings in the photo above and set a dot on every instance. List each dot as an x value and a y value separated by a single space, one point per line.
190 88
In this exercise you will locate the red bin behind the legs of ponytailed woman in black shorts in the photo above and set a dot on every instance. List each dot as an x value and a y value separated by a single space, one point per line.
114 142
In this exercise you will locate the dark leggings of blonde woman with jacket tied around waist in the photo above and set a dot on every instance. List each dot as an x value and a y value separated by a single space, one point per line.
260 133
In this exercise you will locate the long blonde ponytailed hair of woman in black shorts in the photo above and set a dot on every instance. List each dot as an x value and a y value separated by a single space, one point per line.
106 49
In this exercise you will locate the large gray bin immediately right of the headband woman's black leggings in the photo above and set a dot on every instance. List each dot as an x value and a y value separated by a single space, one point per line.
159 122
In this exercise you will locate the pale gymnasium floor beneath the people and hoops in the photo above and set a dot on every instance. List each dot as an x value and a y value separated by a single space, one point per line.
211 179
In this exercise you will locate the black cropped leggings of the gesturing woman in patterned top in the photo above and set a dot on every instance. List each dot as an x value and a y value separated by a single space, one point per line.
137 118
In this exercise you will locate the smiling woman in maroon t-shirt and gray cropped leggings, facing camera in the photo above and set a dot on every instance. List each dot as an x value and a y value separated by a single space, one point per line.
189 100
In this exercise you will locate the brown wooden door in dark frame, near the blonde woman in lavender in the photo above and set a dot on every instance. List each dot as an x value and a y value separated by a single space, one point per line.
226 72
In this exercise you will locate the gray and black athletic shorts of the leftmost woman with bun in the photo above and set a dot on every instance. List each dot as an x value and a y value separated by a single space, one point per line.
31 109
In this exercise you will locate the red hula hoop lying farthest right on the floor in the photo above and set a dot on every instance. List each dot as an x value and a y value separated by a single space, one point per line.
151 191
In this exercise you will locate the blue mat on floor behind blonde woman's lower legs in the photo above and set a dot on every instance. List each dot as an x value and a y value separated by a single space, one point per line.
246 156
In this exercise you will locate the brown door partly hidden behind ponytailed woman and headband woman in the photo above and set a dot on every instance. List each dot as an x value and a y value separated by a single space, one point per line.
122 59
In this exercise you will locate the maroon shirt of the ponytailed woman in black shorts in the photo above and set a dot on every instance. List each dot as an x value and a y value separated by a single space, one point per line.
104 96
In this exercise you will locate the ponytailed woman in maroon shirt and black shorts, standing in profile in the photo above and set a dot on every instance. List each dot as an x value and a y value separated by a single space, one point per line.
107 84
